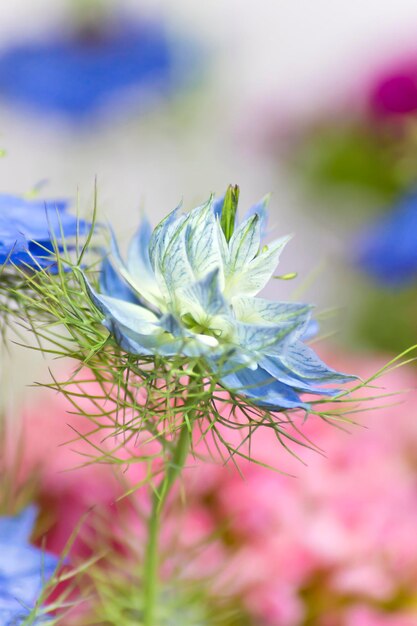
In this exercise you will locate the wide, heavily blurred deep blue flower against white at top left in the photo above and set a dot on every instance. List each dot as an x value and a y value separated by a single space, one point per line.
76 75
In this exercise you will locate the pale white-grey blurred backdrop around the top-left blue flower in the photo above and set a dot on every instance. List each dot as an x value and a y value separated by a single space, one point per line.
296 53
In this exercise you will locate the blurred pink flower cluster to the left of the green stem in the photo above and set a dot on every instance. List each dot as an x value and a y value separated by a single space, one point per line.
54 448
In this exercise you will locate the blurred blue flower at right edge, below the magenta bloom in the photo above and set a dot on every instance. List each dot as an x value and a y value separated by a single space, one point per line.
387 248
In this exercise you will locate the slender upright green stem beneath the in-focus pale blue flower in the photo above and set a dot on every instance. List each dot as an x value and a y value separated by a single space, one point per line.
158 500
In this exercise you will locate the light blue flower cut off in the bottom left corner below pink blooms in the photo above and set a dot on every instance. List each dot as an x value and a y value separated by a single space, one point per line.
24 569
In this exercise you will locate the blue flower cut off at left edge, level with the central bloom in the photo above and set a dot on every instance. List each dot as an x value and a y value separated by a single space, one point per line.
28 229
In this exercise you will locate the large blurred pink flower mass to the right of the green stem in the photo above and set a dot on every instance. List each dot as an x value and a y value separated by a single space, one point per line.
347 519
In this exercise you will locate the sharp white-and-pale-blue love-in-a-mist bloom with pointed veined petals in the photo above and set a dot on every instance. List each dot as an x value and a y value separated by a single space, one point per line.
189 287
